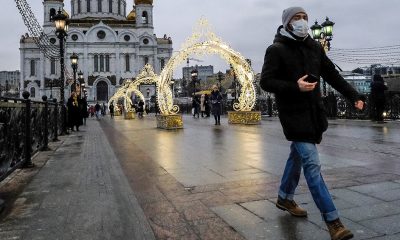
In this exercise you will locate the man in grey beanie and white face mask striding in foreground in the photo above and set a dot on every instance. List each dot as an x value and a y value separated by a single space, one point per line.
292 69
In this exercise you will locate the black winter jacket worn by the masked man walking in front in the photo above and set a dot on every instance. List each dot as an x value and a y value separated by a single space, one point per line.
302 114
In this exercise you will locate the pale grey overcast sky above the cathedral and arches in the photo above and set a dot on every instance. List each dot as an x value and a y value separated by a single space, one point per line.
247 25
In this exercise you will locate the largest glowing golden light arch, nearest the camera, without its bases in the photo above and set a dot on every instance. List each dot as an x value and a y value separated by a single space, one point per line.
202 42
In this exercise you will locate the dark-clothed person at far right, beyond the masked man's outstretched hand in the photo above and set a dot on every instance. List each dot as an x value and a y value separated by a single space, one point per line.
378 89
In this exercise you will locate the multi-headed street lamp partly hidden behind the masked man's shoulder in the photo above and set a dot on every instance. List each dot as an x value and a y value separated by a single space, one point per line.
323 34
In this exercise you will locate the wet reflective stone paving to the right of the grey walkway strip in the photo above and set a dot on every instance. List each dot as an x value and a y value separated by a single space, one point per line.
222 183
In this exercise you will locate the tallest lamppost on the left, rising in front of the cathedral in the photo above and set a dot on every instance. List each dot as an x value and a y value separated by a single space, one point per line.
61 22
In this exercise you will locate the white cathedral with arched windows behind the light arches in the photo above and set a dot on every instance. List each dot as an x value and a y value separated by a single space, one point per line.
111 45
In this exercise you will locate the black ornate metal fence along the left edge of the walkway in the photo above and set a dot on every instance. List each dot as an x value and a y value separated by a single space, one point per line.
25 128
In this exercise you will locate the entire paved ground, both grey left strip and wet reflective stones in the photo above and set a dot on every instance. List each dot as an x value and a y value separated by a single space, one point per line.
120 177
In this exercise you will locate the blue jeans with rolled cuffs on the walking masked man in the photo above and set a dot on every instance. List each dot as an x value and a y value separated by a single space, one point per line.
305 155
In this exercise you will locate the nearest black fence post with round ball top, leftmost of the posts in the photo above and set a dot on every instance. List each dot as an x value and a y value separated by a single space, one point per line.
28 143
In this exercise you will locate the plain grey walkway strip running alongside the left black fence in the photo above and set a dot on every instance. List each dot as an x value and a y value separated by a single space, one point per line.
80 193
